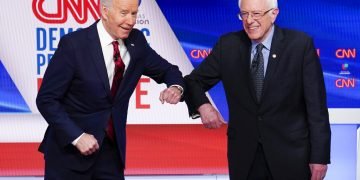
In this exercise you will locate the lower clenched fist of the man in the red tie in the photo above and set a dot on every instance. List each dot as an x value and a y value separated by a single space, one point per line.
87 144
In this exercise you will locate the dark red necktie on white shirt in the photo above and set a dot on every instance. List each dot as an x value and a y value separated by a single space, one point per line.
119 71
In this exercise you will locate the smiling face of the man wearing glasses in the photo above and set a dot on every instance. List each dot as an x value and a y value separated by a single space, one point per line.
258 30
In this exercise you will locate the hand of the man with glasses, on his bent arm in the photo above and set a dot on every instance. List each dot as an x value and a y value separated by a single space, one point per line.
210 117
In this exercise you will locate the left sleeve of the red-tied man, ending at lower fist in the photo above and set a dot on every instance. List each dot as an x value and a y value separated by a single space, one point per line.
56 82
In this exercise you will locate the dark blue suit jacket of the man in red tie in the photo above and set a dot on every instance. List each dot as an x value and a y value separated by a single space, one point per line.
75 94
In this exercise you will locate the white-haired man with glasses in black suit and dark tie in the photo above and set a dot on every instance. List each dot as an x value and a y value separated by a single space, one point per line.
279 125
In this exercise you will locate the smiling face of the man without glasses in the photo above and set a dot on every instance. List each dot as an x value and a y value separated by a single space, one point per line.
119 17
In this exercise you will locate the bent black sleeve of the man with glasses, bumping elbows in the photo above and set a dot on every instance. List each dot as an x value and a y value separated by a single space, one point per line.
201 79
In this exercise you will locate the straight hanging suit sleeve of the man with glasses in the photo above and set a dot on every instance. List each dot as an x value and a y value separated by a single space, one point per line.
316 107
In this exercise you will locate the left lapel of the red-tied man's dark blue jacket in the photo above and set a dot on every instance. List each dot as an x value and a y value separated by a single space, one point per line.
98 58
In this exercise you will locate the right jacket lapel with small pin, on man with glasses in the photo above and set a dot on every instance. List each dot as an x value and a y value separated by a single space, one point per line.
274 57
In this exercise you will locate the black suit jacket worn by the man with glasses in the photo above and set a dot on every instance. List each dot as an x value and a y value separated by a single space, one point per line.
291 121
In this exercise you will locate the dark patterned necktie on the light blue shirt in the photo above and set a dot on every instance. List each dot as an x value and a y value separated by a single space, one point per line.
257 71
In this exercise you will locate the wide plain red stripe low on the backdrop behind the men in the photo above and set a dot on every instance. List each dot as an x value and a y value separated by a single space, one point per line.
151 149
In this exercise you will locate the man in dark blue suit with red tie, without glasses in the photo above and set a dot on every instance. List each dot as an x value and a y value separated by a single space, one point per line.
86 89
